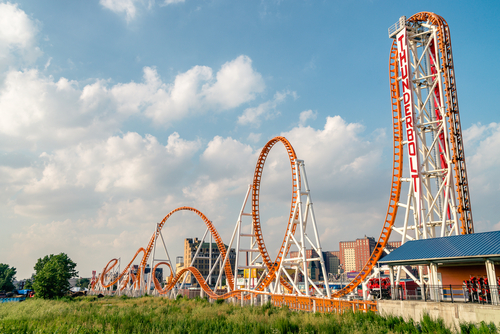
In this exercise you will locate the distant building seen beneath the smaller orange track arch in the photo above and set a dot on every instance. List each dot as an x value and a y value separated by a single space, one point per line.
203 261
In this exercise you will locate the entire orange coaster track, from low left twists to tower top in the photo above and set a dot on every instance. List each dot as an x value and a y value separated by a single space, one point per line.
457 159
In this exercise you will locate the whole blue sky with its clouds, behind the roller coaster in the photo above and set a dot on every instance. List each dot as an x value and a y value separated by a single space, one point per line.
117 111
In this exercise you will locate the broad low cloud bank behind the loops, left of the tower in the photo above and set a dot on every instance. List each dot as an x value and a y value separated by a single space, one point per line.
110 193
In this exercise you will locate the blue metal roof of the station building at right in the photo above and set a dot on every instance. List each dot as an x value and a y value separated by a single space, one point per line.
474 245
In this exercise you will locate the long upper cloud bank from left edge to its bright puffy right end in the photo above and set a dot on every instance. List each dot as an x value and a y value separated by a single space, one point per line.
39 111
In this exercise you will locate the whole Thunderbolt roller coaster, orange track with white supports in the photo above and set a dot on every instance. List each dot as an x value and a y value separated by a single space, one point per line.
428 165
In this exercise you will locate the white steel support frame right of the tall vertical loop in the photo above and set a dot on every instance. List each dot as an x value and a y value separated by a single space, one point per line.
303 217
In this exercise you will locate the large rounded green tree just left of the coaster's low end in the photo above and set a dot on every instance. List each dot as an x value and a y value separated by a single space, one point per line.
52 276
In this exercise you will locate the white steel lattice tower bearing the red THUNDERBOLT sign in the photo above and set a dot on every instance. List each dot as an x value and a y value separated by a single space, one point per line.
430 209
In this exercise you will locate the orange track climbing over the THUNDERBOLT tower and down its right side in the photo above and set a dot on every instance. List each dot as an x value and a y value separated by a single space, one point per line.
454 133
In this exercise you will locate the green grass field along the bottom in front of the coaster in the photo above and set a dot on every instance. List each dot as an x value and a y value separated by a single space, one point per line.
161 315
